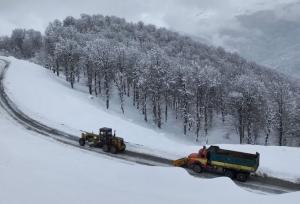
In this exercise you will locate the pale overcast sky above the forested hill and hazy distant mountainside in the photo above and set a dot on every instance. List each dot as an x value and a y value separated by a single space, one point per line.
197 17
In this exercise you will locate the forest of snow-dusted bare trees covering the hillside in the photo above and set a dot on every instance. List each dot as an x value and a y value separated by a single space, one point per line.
162 71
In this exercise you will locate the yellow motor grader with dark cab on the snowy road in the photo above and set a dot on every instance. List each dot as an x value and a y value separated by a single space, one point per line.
105 139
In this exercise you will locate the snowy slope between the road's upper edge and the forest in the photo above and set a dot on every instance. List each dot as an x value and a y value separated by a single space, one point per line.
49 99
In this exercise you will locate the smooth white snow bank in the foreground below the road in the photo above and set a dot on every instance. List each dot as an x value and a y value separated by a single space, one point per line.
37 170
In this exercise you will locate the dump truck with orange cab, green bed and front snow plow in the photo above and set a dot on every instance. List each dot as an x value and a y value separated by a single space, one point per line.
233 164
